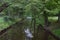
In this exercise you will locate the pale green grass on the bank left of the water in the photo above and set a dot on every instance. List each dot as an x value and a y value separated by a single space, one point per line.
4 24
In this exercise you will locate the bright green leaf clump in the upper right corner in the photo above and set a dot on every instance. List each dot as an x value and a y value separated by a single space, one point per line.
54 7
